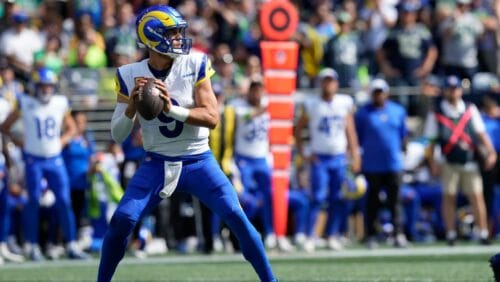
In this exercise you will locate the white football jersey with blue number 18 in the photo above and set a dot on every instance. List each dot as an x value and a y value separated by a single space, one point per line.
43 124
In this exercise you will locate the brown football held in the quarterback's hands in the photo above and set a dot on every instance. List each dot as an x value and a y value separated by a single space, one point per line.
148 102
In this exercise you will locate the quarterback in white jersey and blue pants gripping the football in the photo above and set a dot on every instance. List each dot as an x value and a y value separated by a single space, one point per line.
178 157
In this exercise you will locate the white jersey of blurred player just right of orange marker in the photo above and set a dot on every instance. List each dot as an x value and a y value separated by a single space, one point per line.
327 122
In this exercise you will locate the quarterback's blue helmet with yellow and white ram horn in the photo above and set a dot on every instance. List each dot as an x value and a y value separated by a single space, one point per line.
153 27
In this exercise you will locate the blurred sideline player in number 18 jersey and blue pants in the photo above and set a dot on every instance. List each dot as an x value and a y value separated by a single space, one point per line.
44 115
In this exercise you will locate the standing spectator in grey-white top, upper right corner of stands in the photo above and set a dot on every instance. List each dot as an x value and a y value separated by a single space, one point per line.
459 33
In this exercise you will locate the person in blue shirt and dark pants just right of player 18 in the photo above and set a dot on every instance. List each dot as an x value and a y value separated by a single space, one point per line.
78 155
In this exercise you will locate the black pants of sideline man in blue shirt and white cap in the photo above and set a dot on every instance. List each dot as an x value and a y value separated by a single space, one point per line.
377 182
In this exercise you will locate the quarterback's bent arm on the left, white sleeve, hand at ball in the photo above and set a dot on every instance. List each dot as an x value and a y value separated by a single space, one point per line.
124 114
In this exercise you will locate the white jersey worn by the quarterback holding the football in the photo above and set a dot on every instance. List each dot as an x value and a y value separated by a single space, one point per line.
165 135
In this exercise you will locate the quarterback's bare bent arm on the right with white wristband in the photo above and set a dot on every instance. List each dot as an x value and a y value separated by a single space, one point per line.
205 113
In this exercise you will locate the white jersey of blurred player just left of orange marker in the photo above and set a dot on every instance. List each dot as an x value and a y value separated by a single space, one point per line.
251 134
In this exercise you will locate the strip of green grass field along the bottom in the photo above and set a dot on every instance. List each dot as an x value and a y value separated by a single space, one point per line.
439 263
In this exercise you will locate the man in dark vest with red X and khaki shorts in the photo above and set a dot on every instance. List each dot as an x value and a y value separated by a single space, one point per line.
458 128
